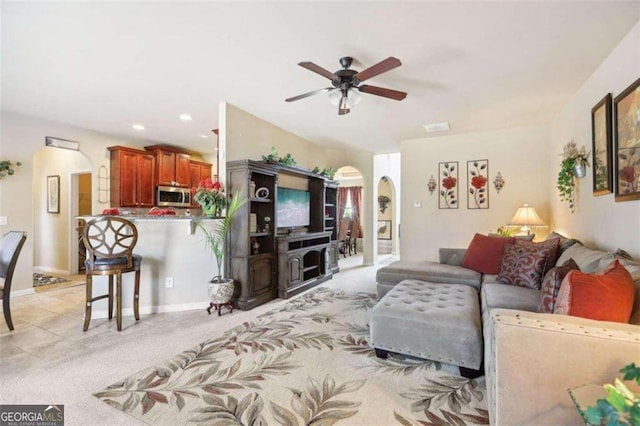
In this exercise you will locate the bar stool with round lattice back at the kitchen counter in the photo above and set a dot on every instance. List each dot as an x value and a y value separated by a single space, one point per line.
109 241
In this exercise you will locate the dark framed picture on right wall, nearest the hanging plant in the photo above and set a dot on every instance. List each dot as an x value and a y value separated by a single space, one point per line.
601 137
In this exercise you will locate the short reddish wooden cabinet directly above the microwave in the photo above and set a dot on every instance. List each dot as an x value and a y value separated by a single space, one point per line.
172 165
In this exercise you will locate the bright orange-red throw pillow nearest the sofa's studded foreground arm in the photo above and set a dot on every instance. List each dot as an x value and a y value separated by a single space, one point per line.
607 296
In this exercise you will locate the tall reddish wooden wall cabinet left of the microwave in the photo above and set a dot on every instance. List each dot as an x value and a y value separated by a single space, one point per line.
132 177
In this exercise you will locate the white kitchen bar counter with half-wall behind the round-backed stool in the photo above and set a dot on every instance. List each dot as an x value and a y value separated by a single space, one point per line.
176 266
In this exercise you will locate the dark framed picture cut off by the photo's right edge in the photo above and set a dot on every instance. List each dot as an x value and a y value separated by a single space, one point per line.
626 115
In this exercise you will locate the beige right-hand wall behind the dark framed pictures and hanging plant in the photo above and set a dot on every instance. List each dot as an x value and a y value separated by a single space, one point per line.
597 220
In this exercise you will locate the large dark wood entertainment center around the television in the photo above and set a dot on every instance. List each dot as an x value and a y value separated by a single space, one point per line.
267 262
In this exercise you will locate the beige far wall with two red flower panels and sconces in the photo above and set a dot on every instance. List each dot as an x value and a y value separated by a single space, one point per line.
520 154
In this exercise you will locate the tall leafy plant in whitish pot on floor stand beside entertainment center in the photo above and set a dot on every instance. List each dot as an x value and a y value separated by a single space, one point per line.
216 238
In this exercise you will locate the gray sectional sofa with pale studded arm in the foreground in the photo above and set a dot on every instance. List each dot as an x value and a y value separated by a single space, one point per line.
531 358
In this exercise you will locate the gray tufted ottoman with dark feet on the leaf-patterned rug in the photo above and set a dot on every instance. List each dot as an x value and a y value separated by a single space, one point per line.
440 322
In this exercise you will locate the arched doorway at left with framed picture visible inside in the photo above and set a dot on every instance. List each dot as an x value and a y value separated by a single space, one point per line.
69 174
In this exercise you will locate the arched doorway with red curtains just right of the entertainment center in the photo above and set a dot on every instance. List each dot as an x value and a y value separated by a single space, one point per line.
351 216
